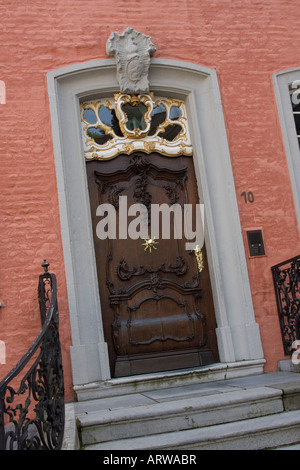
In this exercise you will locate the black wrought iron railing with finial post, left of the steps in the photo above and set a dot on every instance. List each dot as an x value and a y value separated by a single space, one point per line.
32 393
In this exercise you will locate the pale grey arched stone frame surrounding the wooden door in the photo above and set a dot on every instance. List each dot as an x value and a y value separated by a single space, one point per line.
237 331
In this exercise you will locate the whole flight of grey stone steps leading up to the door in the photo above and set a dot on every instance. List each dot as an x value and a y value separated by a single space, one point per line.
161 418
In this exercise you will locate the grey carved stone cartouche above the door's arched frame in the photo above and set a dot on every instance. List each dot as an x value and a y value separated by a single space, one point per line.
132 51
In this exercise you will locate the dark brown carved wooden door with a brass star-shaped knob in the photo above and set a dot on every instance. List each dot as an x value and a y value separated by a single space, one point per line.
157 309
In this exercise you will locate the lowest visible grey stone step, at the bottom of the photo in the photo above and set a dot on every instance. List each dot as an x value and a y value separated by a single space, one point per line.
265 432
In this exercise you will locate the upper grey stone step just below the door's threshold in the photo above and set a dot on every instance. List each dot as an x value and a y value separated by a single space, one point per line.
140 416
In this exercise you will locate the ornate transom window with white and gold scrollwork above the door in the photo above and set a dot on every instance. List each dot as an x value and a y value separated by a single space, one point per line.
126 123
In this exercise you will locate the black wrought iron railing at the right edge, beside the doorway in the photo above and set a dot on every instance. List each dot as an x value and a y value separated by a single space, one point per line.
286 277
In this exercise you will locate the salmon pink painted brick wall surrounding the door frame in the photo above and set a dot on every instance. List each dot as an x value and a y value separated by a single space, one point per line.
245 41
